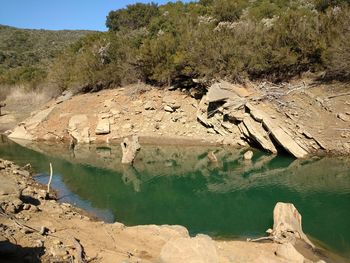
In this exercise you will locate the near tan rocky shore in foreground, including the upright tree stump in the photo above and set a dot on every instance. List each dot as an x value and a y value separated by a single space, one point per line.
31 227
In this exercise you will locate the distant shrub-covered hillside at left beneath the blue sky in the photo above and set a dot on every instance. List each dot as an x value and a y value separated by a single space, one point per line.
26 53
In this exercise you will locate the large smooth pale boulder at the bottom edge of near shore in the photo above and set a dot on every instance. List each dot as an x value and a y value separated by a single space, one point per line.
200 249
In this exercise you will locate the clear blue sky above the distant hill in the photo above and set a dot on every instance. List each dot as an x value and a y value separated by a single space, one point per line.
60 14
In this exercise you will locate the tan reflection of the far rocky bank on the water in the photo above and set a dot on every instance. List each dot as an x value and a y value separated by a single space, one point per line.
231 172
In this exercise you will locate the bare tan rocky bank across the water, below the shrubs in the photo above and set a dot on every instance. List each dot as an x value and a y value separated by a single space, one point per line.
297 122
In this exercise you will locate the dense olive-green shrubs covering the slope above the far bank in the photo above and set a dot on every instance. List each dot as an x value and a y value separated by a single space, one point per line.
237 40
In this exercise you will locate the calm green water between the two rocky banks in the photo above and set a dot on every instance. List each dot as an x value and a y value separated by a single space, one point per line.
177 185
